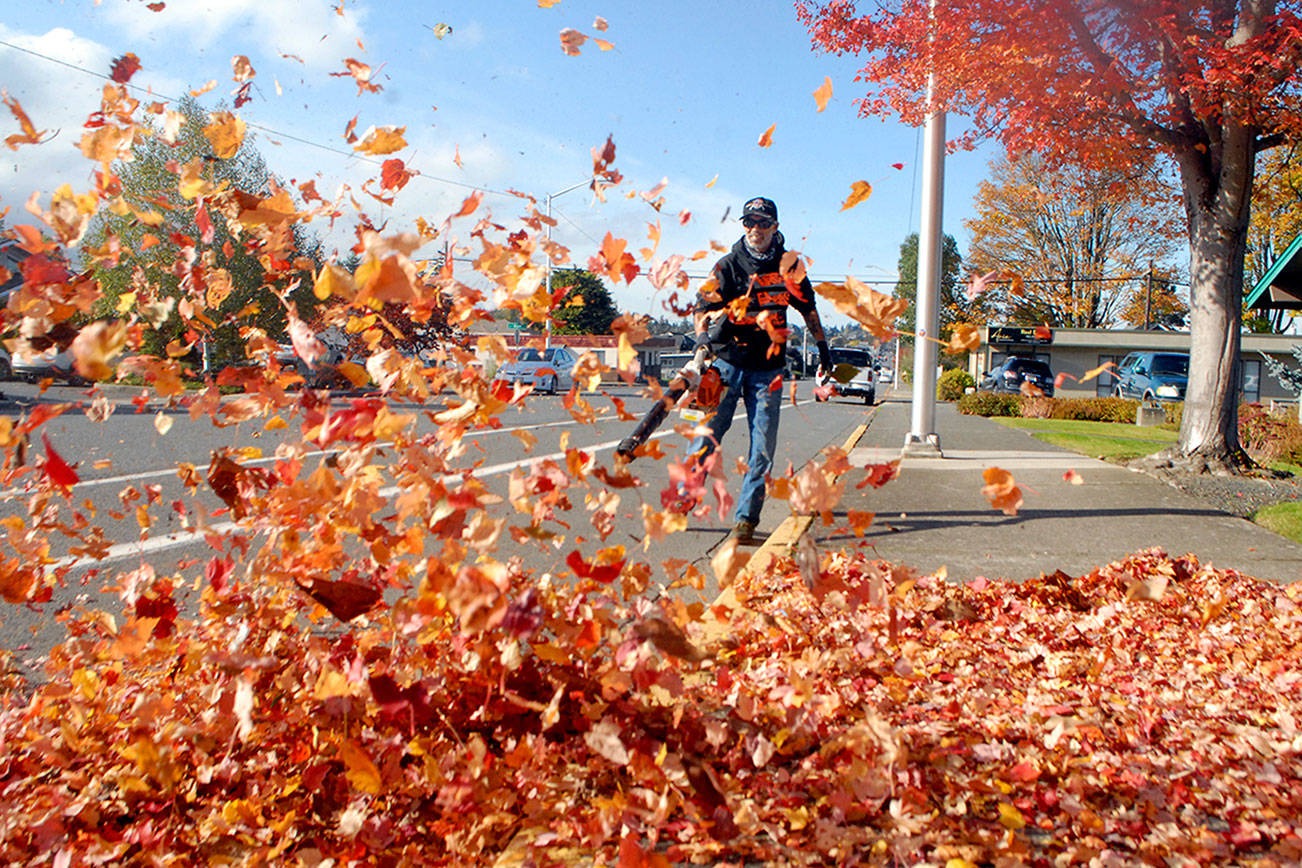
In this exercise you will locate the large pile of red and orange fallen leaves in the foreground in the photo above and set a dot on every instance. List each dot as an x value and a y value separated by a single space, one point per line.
1144 714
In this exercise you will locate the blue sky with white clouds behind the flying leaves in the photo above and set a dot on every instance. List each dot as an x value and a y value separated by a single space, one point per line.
687 92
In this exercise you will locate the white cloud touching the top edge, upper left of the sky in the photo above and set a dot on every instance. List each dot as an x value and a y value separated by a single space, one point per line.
309 29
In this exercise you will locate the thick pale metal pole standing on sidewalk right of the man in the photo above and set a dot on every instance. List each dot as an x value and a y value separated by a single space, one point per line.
922 438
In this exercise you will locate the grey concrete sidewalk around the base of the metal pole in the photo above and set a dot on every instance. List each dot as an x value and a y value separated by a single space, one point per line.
935 515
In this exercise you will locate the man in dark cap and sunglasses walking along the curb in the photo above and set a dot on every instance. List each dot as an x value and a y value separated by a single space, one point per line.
743 319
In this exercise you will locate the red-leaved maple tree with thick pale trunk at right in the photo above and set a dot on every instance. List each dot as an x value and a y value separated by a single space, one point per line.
1206 84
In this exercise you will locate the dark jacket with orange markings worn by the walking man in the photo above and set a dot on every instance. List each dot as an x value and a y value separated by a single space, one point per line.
743 342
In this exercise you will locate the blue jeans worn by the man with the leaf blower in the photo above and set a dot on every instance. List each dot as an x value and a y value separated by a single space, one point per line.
764 407
